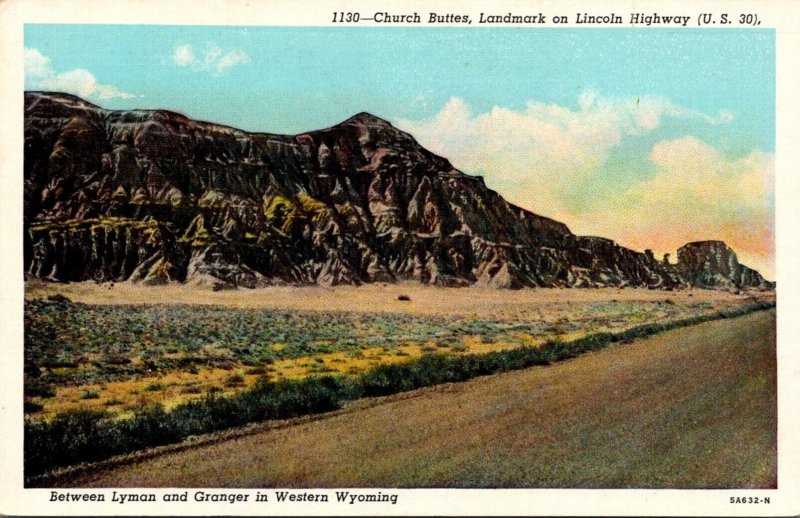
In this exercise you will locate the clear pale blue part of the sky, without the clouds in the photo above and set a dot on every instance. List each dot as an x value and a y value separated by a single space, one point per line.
301 78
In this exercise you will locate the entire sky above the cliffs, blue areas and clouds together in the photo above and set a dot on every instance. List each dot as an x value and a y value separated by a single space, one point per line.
651 137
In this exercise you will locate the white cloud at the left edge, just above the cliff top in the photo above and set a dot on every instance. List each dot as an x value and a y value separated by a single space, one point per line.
39 74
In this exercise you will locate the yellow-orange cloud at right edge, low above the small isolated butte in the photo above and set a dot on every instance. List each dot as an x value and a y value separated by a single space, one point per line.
697 193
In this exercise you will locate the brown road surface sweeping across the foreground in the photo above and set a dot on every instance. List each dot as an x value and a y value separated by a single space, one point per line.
692 407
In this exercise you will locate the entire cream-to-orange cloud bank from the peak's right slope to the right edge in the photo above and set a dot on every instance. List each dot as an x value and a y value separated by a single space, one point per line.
545 157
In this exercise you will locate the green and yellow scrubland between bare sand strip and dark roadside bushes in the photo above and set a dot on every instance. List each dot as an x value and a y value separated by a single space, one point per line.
74 343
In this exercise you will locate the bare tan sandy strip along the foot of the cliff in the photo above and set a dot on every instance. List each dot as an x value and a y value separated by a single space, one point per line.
370 298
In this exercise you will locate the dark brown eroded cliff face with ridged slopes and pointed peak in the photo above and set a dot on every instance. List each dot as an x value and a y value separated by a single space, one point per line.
153 196
